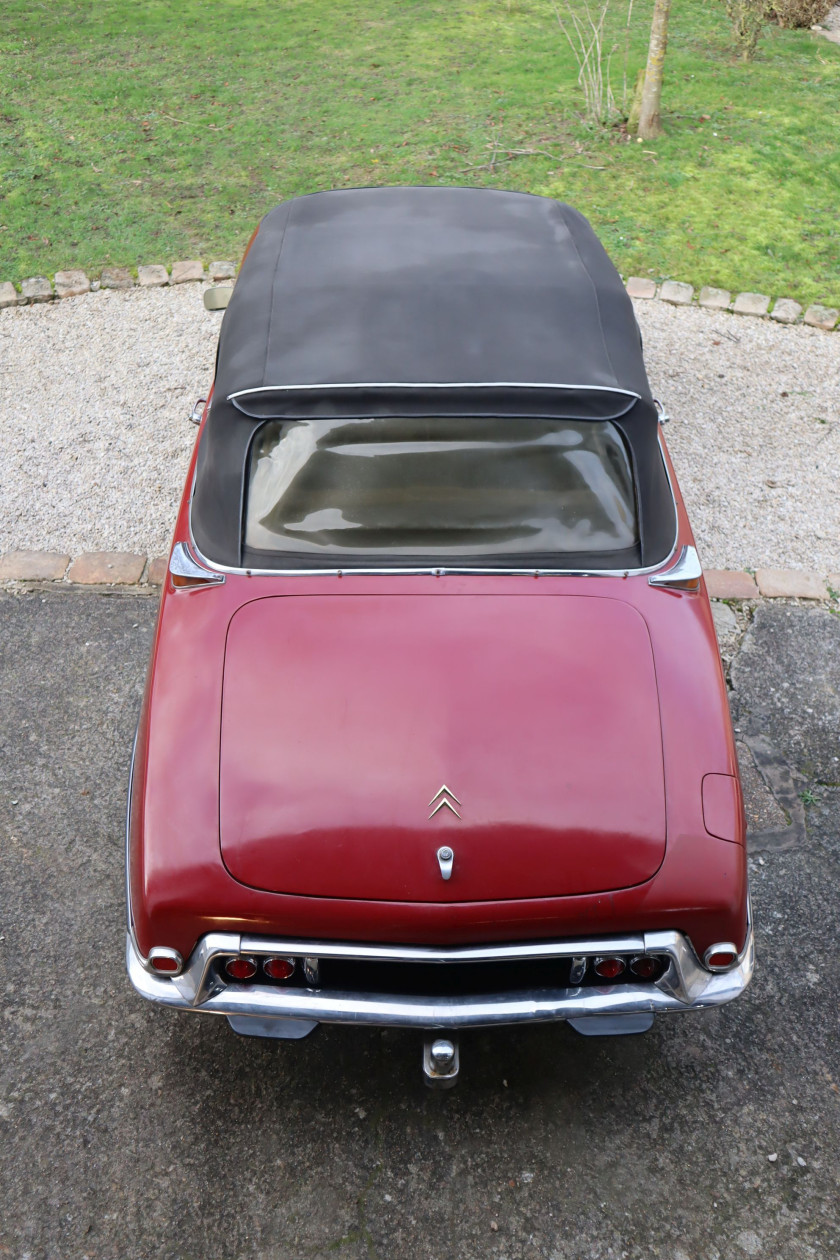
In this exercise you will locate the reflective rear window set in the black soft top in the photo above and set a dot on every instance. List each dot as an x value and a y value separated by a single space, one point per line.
440 487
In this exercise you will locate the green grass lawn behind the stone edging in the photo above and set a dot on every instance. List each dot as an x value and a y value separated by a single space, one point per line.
147 132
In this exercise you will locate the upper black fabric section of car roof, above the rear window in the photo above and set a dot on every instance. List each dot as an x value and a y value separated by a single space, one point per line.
407 288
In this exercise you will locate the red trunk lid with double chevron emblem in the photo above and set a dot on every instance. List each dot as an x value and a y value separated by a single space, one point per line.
361 735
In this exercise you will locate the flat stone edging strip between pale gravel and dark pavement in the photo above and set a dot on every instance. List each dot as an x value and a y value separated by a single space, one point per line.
128 569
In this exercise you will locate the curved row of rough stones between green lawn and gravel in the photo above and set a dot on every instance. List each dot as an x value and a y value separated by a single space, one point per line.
75 283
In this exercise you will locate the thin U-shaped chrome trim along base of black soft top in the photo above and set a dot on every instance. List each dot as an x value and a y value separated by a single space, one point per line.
443 571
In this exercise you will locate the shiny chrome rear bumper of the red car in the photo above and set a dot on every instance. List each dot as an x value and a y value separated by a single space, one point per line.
686 985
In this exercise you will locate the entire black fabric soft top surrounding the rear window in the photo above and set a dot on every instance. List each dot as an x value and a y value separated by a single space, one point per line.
424 302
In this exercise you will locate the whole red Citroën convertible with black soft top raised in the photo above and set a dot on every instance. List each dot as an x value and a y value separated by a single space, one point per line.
435 733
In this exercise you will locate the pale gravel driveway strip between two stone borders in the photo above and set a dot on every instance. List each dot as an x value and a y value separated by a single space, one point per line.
95 394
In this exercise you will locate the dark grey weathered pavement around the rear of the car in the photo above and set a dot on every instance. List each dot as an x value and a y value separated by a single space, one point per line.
133 1132
